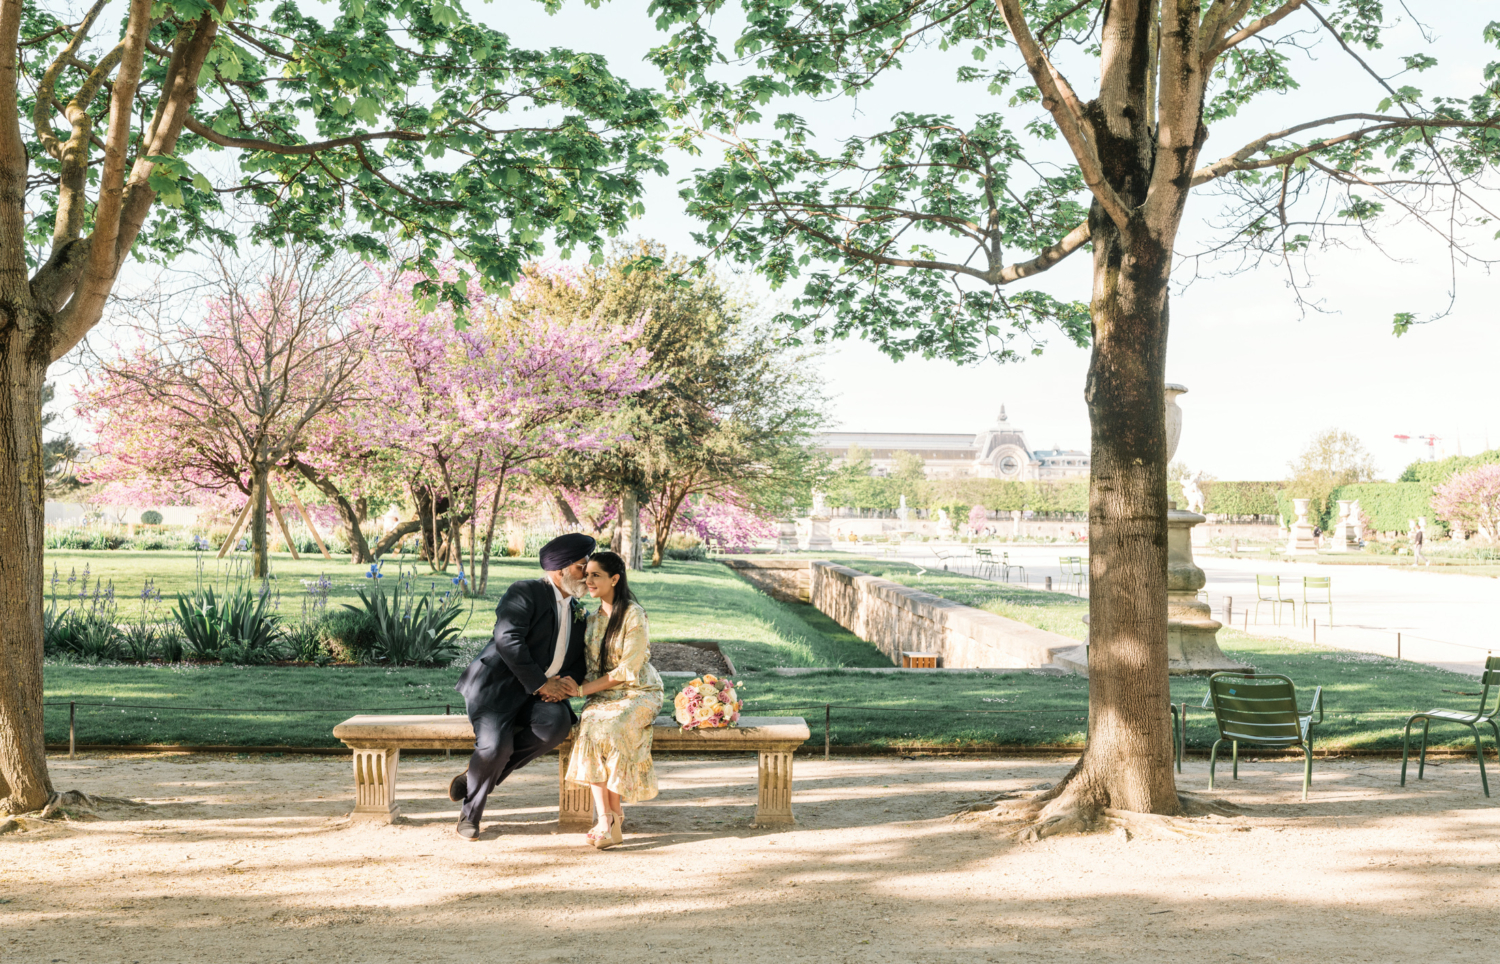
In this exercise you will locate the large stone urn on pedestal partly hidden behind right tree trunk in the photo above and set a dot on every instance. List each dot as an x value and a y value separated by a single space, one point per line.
1192 630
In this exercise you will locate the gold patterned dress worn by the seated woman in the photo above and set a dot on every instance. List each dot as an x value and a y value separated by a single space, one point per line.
614 732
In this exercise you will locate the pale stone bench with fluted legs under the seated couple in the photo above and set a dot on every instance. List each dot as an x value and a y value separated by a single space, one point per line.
377 744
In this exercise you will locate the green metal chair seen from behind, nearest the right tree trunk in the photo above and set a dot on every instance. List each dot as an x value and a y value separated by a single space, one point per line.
1262 710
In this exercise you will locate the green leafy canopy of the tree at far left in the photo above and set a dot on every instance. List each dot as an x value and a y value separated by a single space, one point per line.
361 125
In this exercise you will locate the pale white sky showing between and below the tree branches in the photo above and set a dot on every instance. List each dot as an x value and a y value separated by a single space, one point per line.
1262 379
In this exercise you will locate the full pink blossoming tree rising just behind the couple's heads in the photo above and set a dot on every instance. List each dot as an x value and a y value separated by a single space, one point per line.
475 407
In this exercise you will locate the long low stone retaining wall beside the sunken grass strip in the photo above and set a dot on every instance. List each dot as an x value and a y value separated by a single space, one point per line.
898 618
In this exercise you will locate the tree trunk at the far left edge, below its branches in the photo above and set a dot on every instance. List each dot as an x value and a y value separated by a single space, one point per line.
25 785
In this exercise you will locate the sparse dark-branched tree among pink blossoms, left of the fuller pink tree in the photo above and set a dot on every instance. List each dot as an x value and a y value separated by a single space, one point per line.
209 400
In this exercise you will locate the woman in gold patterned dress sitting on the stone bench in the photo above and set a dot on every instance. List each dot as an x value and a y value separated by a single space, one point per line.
613 750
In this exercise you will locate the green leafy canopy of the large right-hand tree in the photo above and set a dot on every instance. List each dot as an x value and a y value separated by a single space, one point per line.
923 233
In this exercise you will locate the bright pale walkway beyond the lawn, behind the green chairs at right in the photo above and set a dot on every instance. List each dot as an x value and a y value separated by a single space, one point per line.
1444 620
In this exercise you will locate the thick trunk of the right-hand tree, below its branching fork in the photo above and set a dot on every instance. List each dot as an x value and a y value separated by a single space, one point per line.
1127 764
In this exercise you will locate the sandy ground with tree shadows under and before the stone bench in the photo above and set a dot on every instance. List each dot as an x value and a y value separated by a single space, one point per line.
245 861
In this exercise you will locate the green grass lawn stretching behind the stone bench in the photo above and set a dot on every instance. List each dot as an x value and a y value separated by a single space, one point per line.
1367 698
